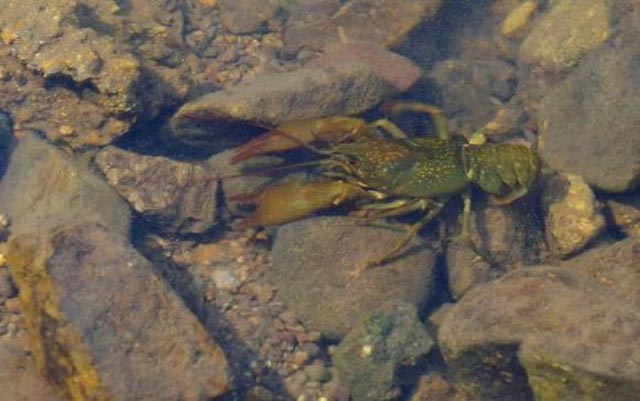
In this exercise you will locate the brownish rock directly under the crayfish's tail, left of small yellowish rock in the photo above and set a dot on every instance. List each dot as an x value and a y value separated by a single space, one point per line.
510 235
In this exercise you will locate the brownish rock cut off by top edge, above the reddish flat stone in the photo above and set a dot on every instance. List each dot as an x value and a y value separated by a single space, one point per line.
312 25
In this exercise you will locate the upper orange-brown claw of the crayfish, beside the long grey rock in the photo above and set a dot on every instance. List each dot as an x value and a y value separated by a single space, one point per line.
299 132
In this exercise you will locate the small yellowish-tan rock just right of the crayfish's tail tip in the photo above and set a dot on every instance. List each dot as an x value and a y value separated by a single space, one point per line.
573 216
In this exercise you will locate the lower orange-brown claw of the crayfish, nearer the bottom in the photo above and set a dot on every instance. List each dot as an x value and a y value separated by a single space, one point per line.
294 200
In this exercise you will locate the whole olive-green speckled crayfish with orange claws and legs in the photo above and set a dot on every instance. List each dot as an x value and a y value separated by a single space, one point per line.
389 175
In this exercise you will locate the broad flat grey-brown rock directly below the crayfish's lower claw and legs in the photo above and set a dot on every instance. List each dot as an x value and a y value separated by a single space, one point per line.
313 262
